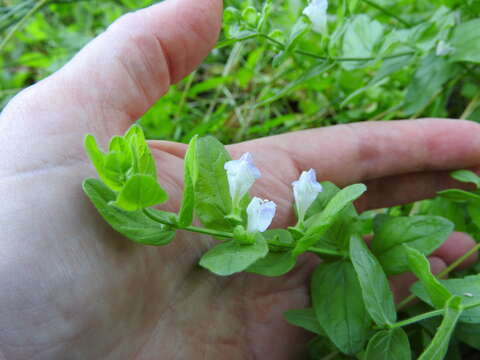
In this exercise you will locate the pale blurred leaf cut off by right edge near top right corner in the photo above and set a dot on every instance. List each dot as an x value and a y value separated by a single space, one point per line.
466 41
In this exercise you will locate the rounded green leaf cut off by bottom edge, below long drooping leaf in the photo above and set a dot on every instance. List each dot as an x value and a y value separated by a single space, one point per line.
390 344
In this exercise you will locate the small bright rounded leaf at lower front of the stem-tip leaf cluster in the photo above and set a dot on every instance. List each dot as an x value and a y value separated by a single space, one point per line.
140 191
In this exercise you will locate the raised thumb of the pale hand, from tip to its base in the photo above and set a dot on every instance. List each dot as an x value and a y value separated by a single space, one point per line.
120 74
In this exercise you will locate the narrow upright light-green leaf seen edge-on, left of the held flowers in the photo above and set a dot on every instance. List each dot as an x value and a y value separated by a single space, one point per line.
185 217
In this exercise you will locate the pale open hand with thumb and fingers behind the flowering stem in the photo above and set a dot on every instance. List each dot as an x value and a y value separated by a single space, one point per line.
72 288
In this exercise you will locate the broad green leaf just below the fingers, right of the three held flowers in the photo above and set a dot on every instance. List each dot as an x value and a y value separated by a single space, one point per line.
424 233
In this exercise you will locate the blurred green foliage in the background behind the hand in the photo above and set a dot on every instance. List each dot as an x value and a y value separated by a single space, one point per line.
271 73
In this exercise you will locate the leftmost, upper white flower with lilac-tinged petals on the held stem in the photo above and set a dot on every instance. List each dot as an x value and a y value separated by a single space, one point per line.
241 174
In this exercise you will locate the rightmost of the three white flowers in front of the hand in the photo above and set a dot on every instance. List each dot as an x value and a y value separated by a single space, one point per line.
305 191
